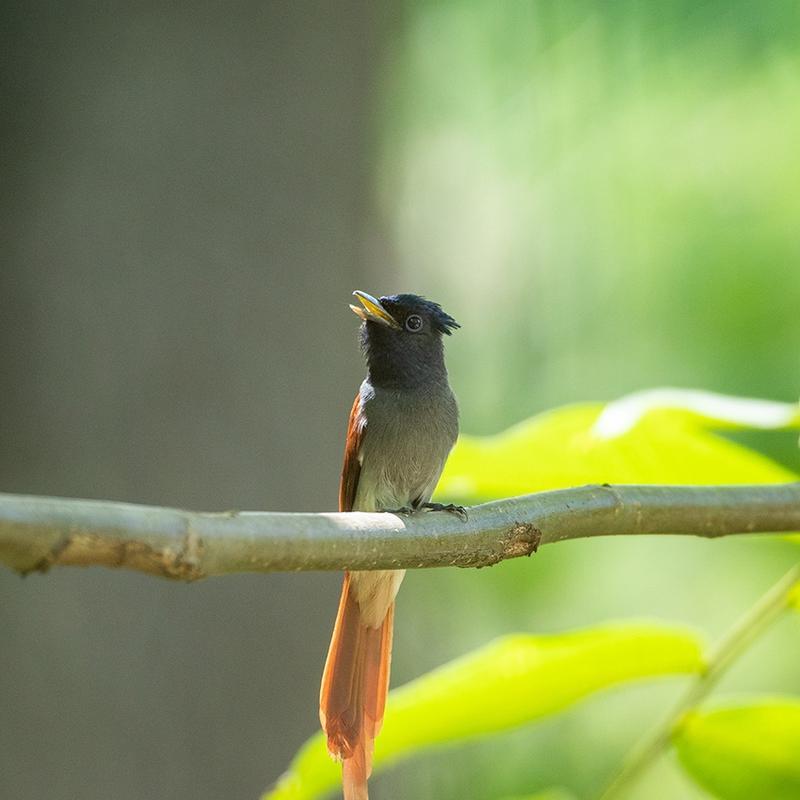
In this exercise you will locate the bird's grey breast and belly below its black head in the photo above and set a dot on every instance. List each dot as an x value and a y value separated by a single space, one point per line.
407 438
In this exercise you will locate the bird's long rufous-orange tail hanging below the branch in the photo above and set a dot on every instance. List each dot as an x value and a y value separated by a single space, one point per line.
354 686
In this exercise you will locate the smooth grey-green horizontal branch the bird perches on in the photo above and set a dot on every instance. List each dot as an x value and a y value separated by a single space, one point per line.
37 533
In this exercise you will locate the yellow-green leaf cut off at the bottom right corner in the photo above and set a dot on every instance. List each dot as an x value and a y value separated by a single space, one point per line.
745 751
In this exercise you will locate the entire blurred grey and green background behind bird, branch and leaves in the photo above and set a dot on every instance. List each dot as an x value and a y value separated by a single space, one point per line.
604 195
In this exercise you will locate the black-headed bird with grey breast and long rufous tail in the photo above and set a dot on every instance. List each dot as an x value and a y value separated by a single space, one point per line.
402 426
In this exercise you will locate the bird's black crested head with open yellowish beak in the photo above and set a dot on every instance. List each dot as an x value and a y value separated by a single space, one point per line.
402 339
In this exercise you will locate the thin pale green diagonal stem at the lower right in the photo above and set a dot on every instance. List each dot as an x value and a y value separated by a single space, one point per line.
768 608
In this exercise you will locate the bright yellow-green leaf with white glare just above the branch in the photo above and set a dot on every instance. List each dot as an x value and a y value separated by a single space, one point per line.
661 436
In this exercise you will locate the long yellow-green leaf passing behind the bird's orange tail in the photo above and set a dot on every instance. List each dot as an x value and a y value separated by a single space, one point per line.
509 682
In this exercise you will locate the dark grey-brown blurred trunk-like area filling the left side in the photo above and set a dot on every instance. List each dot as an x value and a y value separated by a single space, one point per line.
184 207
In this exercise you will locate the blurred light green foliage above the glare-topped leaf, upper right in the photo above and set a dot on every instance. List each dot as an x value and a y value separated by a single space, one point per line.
604 193
